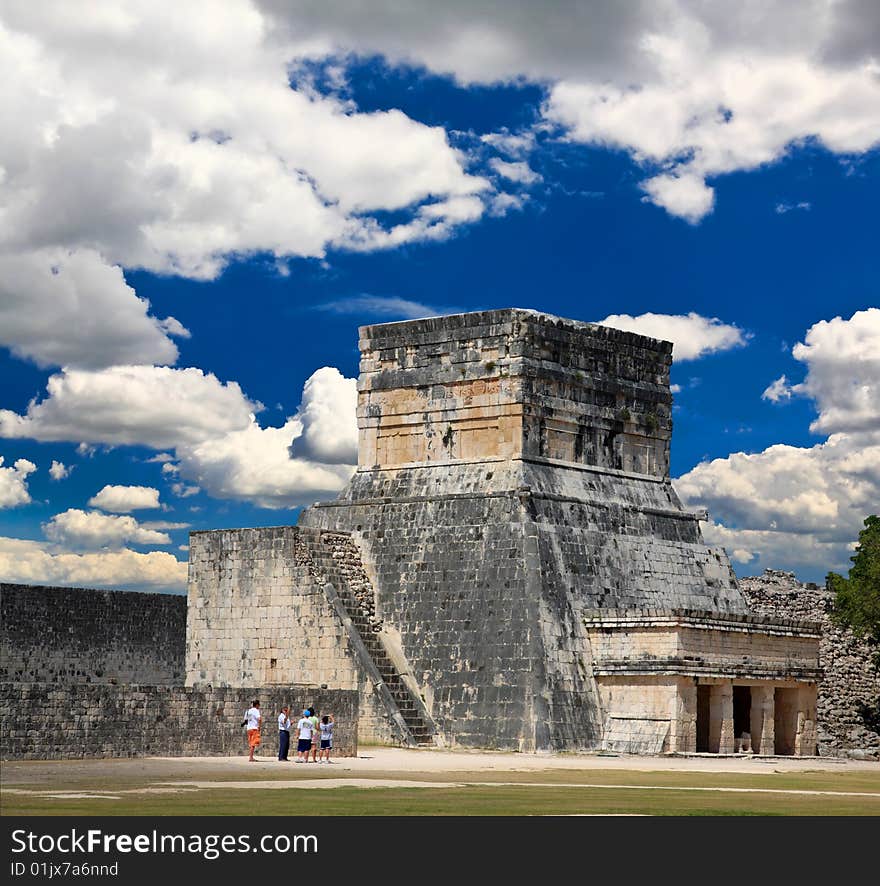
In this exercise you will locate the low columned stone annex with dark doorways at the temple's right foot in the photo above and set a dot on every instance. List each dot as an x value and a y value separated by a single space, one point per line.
652 665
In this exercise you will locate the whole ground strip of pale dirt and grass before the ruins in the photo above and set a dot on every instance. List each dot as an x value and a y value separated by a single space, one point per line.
393 781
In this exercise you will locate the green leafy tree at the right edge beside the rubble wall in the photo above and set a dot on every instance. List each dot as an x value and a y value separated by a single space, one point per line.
857 598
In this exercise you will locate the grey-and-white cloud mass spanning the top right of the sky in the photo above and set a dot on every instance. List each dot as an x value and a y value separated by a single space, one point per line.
692 89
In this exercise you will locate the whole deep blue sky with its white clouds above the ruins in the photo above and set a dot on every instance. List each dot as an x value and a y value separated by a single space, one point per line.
413 177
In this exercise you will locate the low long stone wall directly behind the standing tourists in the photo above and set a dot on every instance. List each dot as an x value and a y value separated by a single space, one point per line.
43 721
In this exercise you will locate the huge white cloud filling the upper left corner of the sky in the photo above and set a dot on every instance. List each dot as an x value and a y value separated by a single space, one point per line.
168 143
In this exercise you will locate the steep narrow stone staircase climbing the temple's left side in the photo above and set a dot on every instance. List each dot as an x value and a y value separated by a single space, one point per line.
336 559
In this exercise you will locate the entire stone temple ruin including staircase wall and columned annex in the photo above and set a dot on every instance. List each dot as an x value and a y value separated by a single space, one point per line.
510 566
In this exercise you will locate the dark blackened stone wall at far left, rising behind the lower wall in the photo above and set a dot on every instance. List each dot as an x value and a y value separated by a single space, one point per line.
78 635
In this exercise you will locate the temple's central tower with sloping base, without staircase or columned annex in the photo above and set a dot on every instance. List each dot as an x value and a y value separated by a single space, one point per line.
513 473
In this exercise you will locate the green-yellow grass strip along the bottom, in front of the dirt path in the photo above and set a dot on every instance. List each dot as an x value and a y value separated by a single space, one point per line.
528 796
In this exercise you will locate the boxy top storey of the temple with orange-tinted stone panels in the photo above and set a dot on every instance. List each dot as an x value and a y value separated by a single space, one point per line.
509 384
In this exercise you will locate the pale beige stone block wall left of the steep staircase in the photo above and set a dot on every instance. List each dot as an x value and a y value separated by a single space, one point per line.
258 617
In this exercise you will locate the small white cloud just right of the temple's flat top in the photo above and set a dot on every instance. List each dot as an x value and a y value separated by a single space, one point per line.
692 335
